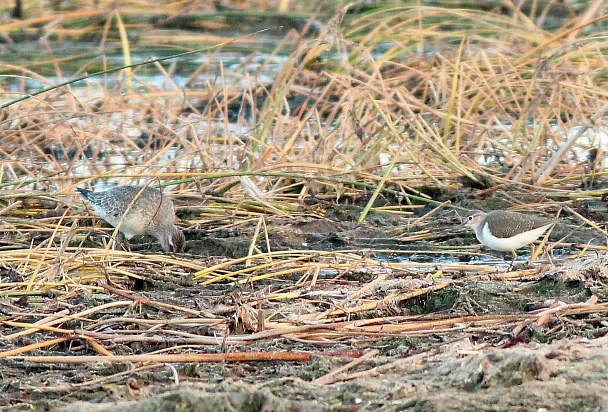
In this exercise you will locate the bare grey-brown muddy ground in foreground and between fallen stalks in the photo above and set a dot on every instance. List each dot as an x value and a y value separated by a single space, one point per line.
557 362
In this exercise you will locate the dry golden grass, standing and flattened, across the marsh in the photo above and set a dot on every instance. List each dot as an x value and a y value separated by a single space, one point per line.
374 110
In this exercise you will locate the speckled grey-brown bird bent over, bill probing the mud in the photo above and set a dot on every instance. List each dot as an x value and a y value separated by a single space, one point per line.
138 210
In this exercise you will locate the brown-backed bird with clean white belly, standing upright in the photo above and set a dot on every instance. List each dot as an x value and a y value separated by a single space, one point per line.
506 231
